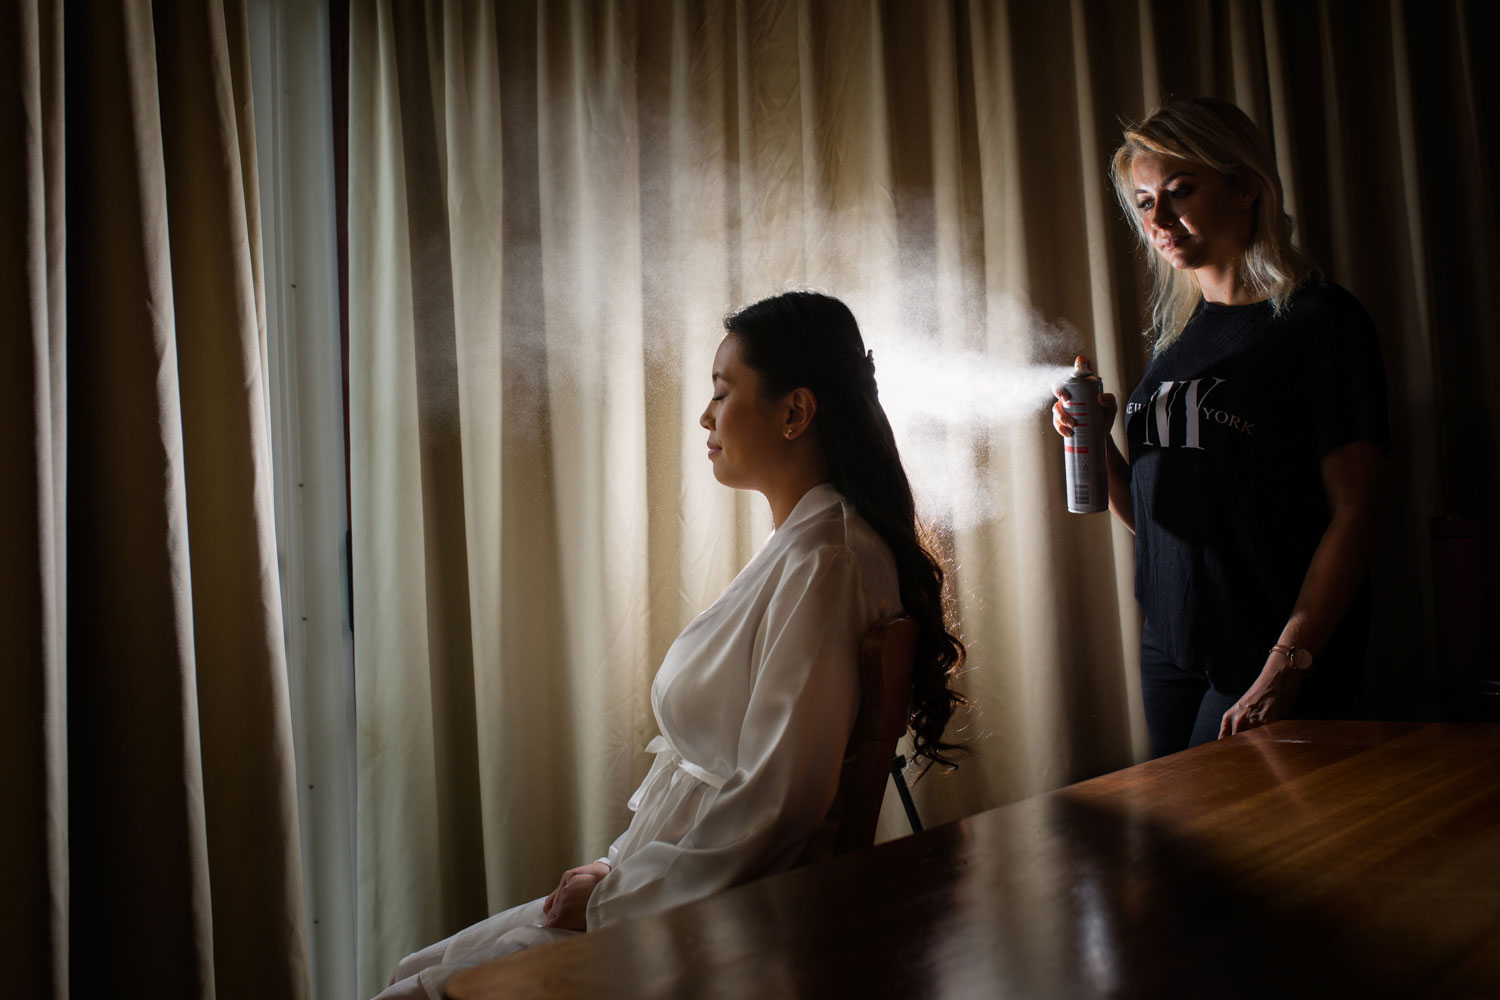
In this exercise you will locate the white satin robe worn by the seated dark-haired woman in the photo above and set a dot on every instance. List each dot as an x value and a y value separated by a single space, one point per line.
755 704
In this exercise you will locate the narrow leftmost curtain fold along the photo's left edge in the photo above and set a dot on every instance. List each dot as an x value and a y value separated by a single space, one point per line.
34 430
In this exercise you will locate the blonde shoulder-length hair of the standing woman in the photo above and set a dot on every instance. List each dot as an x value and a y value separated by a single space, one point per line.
1223 139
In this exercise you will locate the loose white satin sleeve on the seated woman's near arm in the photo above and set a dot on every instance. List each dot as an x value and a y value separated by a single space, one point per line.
790 752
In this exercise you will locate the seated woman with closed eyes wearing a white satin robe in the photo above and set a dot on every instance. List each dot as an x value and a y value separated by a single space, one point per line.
757 698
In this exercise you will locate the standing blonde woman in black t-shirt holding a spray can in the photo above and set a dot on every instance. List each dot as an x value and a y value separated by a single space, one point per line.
1256 442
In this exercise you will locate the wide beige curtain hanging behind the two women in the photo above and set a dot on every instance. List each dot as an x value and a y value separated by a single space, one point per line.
554 205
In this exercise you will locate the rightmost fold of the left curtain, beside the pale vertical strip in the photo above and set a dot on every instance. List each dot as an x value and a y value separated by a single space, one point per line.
218 310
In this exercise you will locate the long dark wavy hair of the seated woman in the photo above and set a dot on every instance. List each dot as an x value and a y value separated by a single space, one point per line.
808 340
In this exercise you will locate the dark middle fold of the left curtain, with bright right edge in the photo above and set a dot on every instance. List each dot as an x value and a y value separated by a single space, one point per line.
133 717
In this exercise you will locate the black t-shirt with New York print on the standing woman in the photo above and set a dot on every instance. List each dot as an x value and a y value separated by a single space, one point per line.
1226 436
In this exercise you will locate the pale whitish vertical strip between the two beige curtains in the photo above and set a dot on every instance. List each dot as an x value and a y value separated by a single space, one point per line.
293 85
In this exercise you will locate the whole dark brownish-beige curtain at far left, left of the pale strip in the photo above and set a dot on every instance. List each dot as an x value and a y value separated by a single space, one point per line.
149 833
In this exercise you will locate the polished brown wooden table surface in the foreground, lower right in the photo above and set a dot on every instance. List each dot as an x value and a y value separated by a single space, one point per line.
1321 860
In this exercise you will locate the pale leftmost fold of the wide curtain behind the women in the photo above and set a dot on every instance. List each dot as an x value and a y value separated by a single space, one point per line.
395 707
